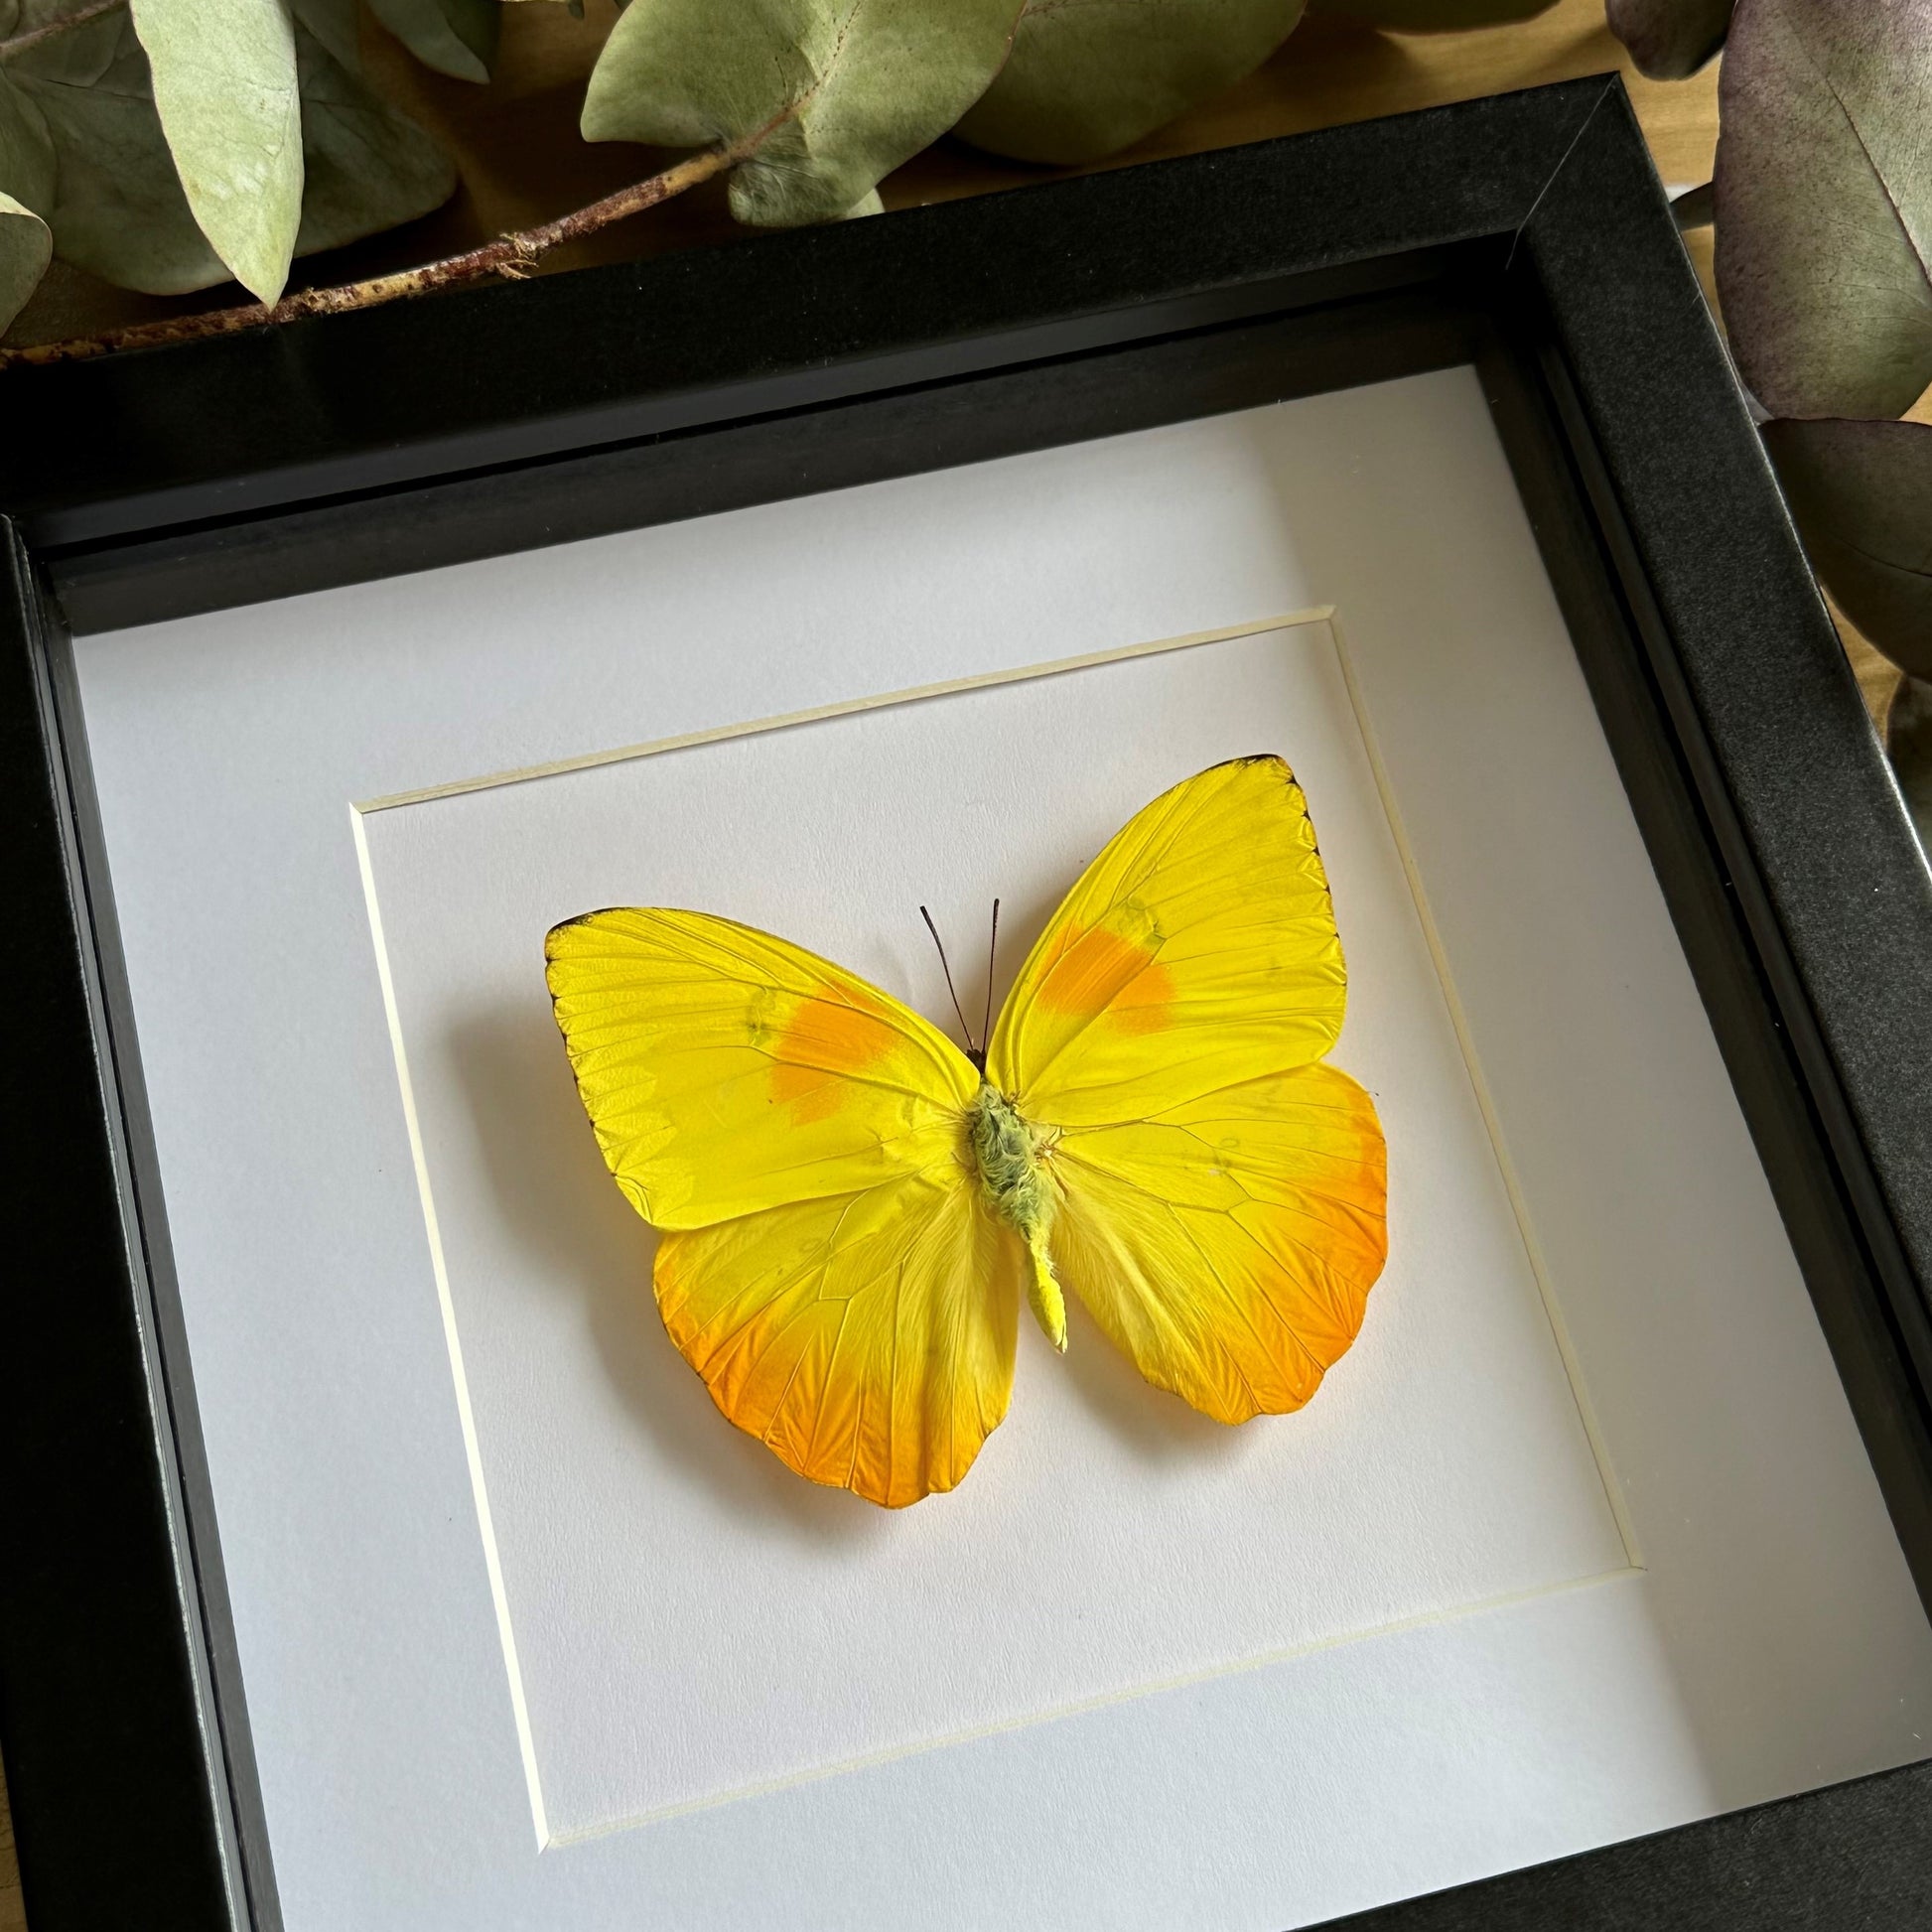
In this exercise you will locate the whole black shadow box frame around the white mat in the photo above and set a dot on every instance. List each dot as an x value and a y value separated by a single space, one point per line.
1523 235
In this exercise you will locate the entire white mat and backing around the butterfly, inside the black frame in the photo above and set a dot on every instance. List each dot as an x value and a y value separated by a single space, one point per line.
1769 1639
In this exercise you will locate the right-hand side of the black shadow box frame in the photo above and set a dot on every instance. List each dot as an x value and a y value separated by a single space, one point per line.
1838 928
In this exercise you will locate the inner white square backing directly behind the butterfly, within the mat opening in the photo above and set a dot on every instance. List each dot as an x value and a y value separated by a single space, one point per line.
652 1556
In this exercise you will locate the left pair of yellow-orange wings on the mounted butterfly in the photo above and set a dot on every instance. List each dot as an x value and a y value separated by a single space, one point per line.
797 1135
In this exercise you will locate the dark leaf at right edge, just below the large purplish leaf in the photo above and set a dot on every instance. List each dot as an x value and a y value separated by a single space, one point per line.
1861 496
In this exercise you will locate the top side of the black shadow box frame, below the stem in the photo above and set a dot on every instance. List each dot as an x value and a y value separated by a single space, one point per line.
275 416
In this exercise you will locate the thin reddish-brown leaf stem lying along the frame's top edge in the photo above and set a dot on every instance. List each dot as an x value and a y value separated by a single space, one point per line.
513 256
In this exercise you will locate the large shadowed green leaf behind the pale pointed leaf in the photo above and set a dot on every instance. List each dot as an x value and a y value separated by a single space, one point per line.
119 208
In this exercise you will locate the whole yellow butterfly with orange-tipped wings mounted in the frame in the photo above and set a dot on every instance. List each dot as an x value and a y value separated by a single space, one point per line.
849 1203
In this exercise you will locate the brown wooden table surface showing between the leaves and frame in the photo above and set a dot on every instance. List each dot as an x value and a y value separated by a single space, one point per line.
523 163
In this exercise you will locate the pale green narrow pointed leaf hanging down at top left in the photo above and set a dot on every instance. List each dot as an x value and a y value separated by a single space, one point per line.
223 76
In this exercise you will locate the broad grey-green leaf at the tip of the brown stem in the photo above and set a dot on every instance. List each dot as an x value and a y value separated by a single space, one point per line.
836 94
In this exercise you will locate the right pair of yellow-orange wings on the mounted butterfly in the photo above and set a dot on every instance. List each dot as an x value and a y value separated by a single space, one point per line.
1220 1191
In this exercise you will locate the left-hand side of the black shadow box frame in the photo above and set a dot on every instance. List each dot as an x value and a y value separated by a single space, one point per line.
121 1769
